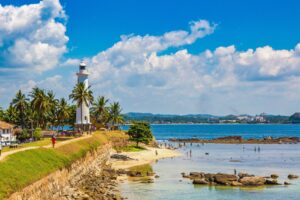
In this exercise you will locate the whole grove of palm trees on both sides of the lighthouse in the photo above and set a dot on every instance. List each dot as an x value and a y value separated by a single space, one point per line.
41 109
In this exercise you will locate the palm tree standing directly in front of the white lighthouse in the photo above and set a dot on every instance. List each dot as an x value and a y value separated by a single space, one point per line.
82 95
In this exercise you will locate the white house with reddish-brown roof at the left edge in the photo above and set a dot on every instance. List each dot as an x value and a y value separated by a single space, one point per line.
6 133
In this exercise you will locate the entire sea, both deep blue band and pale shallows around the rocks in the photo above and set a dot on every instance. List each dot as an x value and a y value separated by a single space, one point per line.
281 159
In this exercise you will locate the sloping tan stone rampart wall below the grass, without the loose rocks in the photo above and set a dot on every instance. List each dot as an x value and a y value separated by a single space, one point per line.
55 185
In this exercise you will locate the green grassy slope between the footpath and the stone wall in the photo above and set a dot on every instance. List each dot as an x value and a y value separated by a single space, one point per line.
23 168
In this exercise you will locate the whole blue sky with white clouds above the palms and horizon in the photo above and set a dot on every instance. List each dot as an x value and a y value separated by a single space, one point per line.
176 57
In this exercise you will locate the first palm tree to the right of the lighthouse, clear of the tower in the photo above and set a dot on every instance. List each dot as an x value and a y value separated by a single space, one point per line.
100 110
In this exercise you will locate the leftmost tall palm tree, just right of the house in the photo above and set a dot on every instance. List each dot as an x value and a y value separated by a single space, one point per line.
20 104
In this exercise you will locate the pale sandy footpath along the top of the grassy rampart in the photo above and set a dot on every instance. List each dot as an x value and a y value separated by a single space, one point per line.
5 154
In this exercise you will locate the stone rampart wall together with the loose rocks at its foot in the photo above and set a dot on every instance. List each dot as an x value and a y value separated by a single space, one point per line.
87 178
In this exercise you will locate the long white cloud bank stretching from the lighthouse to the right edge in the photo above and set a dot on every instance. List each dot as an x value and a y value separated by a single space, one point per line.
221 81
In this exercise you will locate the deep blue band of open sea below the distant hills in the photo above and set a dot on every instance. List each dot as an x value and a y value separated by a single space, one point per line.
207 131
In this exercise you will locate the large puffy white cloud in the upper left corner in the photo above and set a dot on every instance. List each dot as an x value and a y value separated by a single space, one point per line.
32 39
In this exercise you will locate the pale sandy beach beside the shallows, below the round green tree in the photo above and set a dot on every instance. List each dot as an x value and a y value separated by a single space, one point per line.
144 157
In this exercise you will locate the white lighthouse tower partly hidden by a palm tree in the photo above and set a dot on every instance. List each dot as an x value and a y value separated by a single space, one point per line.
82 111
